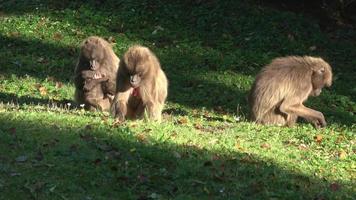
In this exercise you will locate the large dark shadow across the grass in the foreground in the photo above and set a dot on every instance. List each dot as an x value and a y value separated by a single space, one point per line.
88 163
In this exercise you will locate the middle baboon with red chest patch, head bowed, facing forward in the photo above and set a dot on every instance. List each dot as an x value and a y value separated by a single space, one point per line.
141 86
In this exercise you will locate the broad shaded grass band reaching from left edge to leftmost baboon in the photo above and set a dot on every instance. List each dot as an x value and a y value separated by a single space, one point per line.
24 56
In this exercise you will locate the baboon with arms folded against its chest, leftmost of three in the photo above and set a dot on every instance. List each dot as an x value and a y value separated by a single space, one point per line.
95 74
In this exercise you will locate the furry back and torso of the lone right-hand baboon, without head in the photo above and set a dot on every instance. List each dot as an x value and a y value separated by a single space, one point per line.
282 78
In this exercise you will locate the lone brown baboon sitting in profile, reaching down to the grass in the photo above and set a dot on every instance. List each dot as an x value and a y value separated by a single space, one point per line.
281 87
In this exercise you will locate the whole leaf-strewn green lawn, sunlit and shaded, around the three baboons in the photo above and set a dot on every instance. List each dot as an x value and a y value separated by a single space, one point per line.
205 148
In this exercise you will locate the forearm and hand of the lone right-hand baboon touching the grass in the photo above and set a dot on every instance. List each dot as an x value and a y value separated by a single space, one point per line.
313 116
